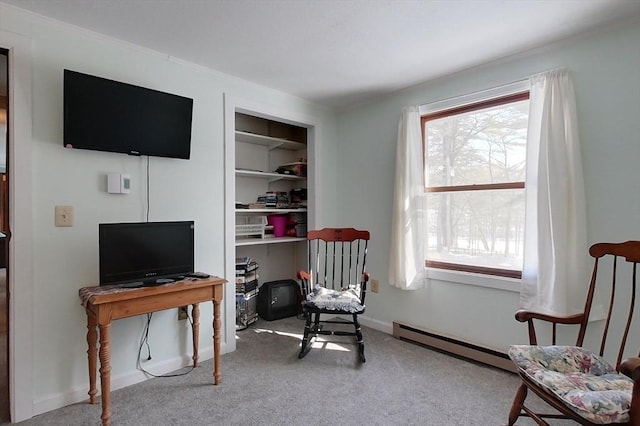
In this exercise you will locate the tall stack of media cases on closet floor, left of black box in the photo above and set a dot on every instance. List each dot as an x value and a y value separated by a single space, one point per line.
246 292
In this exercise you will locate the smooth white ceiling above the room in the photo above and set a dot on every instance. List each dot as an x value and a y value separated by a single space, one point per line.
337 52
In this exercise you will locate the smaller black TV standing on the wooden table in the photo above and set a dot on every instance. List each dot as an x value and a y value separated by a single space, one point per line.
145 251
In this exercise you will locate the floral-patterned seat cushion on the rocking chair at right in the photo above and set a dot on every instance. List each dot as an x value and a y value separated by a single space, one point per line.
582 380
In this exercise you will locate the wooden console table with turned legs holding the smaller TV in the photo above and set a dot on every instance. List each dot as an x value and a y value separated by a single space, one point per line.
108 303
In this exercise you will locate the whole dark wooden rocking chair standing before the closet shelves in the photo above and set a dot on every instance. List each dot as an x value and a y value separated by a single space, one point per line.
335 283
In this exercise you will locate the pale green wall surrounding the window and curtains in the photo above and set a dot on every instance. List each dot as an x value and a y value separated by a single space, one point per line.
605 67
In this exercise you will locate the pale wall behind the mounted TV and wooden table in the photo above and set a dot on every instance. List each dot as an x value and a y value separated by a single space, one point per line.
66 259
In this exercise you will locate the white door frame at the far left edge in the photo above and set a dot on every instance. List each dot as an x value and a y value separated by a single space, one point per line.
20 277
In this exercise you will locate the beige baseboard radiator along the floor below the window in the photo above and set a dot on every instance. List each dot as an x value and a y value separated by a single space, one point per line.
470 351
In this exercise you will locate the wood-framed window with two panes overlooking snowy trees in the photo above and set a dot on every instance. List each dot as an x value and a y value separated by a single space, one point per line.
475 158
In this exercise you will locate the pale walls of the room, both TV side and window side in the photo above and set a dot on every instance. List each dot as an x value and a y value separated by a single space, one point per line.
605 69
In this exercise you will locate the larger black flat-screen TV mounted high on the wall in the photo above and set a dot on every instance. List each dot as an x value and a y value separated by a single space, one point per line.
106 115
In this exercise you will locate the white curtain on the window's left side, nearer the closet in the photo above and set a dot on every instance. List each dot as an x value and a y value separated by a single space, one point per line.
406 265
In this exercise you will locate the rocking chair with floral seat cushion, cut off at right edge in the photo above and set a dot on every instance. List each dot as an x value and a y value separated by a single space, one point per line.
578 383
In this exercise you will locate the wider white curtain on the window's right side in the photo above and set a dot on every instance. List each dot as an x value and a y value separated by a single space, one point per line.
556 261
